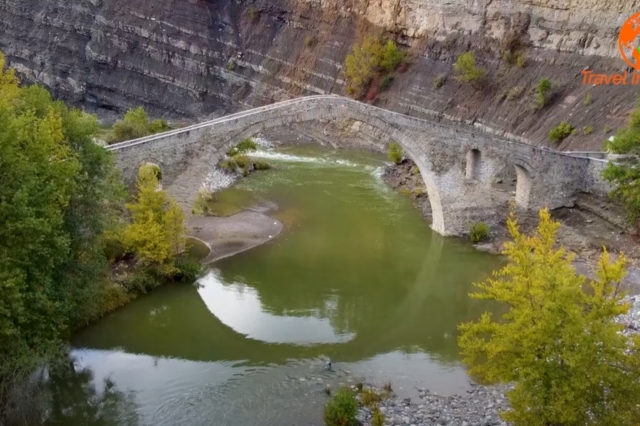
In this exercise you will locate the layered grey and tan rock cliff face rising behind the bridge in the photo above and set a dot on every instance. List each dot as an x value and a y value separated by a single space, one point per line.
198 58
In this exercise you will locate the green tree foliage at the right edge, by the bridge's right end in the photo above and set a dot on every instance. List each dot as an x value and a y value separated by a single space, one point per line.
624 174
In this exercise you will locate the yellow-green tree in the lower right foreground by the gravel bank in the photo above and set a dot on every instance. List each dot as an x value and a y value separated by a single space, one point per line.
558 342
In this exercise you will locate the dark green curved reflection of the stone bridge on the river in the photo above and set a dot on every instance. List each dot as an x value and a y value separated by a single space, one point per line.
178 324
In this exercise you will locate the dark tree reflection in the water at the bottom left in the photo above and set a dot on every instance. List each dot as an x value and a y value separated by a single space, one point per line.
75 400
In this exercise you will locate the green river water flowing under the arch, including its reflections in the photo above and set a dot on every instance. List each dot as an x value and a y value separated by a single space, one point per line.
357 276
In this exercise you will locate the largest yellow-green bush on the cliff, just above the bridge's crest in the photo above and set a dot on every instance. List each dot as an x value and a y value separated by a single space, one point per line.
368 58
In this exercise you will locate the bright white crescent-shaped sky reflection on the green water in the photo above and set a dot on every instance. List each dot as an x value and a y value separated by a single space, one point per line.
238 306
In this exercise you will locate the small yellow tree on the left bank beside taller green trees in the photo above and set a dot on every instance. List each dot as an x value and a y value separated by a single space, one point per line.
156 233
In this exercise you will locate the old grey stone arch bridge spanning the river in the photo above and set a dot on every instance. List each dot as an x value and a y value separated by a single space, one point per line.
457 162
